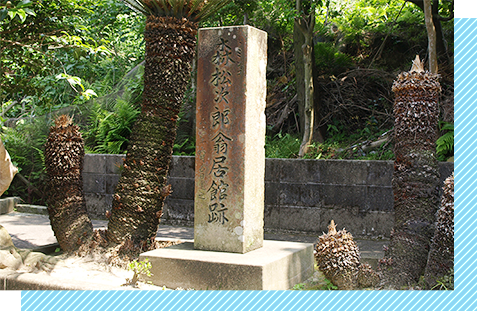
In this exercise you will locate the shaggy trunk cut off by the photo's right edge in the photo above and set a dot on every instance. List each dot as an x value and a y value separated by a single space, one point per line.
441 255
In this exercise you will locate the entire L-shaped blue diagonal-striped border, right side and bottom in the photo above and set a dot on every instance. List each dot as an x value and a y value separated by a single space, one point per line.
462 298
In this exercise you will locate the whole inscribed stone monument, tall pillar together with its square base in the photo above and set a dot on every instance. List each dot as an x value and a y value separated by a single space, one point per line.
228 251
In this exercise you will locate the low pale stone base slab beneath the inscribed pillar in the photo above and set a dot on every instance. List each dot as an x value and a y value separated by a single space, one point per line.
275 266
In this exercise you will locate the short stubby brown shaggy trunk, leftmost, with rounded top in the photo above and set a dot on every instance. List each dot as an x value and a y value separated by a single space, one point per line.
64 156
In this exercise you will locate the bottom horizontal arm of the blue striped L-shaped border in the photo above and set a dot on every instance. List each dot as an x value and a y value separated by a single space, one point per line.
247 300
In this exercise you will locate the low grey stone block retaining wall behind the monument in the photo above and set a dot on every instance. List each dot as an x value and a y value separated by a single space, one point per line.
300 195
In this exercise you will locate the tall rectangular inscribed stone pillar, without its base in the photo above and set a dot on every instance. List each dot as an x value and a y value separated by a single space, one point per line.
230 139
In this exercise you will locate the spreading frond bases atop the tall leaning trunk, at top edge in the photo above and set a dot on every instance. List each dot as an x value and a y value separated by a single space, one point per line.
195 10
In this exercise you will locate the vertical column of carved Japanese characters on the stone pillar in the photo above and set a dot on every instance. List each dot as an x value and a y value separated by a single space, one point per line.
225 61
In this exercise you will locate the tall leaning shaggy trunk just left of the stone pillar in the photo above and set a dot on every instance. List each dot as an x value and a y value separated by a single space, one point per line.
139 196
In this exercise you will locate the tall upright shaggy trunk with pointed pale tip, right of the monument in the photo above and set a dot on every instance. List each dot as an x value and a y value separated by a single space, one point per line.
416 175
